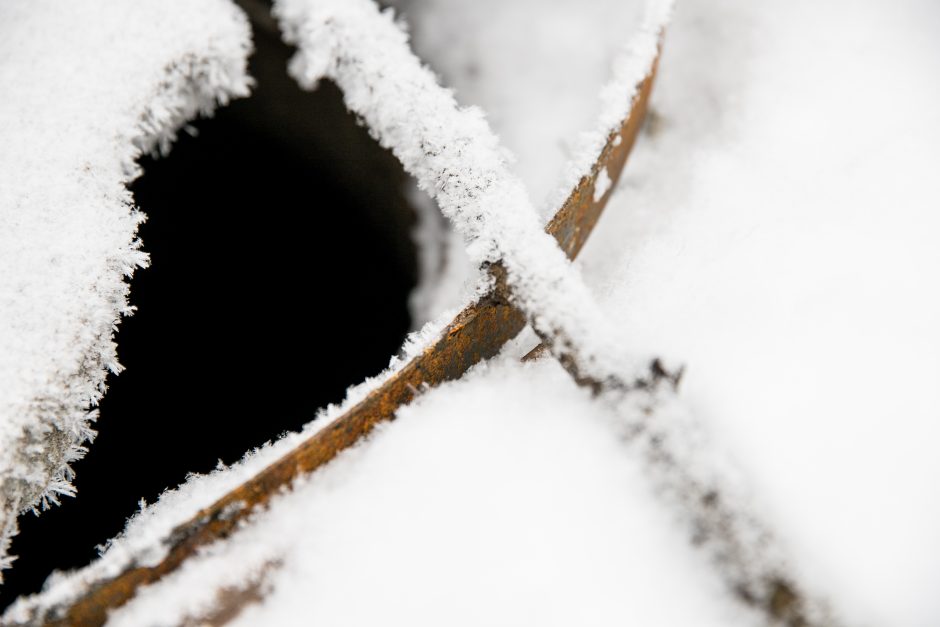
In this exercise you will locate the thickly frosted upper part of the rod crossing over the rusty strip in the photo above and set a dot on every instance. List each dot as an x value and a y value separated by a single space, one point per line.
457 159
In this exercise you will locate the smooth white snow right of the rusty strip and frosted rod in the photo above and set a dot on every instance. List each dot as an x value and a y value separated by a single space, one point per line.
776 231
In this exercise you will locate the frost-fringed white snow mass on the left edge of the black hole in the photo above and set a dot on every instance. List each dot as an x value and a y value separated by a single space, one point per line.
87 88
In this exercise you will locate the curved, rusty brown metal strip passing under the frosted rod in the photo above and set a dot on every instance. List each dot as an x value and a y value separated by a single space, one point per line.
478 332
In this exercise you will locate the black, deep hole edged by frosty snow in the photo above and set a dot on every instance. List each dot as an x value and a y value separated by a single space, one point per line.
281 264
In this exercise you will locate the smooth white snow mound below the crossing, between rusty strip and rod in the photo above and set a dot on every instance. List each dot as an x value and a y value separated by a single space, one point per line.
502 499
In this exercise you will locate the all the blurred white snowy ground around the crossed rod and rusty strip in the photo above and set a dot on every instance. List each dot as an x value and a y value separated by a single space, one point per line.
774 232
